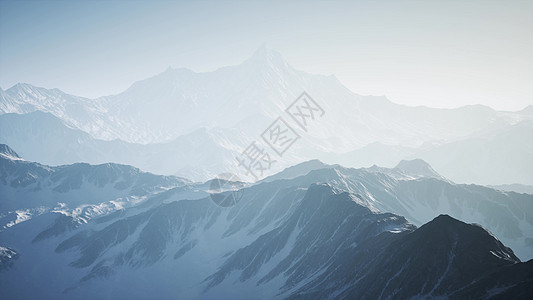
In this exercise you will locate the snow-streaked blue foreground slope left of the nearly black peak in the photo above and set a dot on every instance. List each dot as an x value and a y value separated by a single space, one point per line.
274 244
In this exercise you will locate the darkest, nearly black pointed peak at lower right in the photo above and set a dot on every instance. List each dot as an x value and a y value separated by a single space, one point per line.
436 260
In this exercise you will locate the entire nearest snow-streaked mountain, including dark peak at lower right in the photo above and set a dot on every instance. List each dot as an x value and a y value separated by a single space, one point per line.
279 241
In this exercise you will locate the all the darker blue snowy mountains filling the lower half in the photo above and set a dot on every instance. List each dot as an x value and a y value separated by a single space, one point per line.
312 231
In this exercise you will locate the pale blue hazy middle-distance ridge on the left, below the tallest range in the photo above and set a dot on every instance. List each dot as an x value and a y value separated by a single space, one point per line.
44 138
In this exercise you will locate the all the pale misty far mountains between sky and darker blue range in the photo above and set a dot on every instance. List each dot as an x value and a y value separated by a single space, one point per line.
158 123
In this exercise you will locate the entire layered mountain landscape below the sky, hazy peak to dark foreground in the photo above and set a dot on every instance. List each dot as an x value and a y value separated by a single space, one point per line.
116 197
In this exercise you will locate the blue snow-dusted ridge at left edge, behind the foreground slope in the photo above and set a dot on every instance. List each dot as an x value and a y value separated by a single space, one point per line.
79 191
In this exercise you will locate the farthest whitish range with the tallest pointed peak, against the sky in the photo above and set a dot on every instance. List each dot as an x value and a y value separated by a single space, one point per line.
179 101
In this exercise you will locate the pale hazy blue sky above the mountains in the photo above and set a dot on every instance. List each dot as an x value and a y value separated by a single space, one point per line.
440 54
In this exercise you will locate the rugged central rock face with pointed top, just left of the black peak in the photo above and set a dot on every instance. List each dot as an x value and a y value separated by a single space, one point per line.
327 221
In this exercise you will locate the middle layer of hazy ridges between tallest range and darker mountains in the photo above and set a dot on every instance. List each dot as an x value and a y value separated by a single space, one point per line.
45 138
